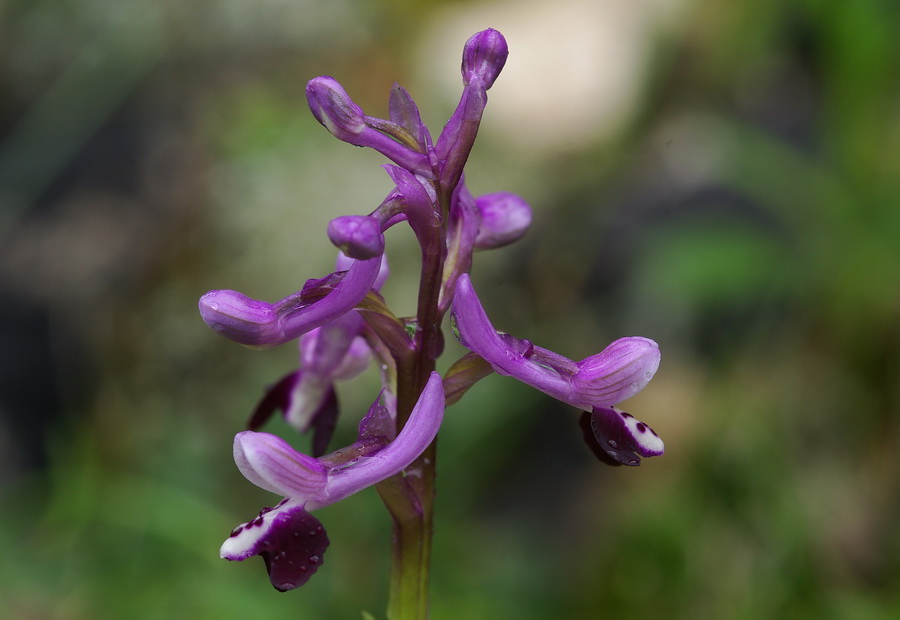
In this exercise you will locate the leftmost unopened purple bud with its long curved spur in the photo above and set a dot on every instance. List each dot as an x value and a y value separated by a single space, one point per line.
261 324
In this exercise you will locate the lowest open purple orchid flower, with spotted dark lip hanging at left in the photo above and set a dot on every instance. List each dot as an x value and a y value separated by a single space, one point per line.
290 540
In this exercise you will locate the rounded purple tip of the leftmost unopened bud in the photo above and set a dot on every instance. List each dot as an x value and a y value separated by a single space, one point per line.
240 318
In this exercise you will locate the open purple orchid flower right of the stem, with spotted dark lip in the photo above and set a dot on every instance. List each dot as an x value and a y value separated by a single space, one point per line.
594 384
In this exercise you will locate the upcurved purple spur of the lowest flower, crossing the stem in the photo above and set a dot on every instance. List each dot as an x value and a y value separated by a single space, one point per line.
419 431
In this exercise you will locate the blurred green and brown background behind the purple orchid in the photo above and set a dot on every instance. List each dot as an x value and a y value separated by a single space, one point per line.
723 177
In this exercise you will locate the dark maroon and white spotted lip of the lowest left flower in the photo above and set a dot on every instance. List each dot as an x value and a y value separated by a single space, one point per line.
290 540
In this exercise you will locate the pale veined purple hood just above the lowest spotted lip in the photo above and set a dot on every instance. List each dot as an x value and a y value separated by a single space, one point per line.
272 464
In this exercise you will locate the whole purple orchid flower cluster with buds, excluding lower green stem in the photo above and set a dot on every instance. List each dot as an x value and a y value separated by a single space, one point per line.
341 322
